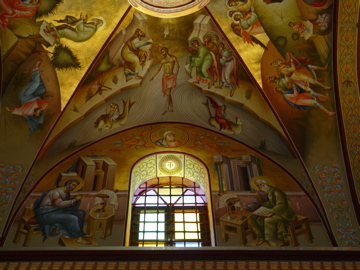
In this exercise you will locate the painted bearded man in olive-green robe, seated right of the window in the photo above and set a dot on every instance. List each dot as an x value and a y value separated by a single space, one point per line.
272 226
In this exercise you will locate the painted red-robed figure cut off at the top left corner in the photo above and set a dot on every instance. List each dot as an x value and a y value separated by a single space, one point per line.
17 9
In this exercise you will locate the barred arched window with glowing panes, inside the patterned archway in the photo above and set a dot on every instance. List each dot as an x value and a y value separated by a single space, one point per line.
170 211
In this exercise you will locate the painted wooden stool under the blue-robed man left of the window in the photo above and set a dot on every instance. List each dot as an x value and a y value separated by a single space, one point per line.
28 225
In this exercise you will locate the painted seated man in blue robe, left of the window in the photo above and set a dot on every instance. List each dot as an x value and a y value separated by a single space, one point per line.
57 213
